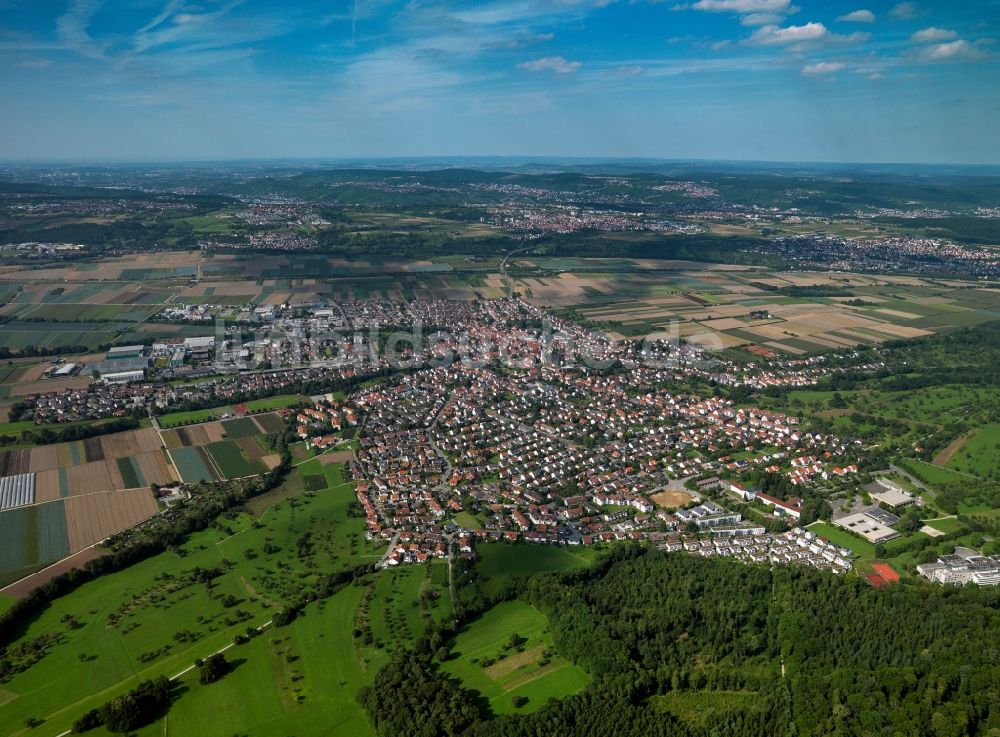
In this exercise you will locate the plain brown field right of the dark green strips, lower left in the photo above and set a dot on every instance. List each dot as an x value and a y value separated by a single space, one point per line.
93 517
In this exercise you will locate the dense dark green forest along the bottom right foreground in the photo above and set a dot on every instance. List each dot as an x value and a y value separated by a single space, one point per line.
815 654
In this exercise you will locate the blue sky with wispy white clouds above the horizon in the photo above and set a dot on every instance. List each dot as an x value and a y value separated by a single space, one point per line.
718 79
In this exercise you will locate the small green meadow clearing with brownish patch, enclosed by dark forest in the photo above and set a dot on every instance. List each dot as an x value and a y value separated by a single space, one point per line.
482 659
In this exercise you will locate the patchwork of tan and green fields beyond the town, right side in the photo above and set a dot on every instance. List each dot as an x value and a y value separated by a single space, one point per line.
713 307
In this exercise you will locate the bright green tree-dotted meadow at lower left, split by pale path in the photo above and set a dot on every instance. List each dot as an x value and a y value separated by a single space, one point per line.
154 618
